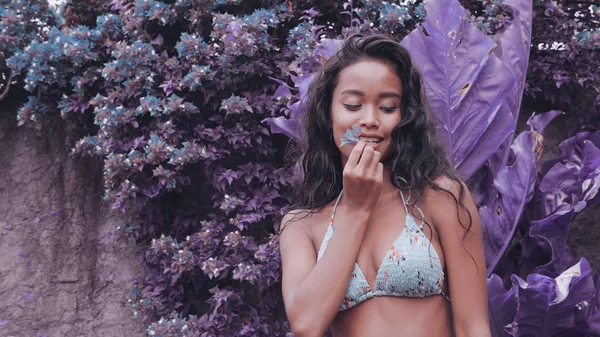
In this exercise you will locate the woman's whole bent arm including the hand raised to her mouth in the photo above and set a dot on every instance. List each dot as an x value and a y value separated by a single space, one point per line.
313 291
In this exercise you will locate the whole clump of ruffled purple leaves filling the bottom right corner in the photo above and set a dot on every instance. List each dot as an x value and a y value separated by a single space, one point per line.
544 306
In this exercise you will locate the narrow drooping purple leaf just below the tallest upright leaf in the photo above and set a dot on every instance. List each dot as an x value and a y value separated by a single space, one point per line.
514 186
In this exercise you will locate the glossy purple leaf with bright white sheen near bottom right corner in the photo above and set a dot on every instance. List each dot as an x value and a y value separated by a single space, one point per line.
548 305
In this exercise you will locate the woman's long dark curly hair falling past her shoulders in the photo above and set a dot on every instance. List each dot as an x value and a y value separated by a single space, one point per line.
417 158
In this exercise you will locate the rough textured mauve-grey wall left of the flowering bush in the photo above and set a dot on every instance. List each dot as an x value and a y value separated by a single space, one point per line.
56 276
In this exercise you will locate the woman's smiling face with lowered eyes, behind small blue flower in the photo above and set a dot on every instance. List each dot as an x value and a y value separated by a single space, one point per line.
368 93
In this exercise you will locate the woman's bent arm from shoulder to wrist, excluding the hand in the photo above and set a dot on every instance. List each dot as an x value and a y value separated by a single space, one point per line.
313 291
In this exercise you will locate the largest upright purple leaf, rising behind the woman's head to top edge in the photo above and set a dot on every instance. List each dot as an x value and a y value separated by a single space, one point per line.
466 84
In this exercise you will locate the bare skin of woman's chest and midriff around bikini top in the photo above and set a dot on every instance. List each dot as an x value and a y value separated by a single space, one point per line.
378 316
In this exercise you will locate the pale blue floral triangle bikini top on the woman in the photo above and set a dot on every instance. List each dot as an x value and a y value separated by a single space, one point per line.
410 268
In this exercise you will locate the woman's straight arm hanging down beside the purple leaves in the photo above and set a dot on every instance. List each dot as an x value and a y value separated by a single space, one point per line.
465 261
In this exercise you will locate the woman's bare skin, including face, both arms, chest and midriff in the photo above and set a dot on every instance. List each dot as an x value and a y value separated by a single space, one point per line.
368 219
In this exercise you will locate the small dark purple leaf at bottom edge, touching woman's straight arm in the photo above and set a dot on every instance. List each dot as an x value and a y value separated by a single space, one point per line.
502 305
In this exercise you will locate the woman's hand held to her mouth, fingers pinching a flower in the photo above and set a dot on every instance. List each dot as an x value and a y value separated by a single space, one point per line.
363 177
